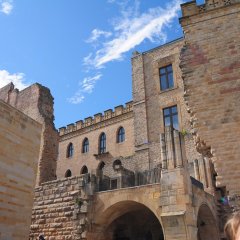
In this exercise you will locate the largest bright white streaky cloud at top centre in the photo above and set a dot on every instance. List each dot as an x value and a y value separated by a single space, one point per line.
132 29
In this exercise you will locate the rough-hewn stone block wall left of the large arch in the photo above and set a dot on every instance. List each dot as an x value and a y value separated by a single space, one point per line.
60 210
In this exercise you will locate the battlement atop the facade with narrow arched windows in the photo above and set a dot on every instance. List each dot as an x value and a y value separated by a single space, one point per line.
99 117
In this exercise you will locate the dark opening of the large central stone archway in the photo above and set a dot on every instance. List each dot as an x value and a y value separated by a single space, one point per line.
128 220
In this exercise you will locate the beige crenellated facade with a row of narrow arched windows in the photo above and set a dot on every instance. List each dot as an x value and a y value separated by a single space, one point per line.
91 128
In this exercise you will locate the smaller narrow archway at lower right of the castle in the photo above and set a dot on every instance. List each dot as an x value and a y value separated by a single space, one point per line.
206 224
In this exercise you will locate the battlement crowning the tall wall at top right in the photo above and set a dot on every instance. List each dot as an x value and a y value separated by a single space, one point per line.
191 8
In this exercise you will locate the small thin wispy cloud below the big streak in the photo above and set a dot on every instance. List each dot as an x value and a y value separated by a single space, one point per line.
85 86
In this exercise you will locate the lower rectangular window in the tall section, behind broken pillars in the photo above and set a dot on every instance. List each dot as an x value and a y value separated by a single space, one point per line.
171 117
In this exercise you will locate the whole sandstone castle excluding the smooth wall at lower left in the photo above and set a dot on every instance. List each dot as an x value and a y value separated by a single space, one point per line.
165 165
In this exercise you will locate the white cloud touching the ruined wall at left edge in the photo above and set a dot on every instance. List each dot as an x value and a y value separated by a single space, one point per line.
18 79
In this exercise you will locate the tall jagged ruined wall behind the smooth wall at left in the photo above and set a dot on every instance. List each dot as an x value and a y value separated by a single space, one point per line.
36 101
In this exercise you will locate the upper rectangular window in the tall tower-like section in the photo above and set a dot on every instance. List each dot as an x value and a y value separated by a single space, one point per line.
166 77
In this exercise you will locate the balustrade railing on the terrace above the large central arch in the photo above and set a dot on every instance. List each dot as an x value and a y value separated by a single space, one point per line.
129 180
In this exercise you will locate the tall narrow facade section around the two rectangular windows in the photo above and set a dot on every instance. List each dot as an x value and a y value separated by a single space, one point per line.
150 100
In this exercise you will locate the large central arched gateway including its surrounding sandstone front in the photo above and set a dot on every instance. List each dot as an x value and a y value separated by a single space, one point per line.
127 214
